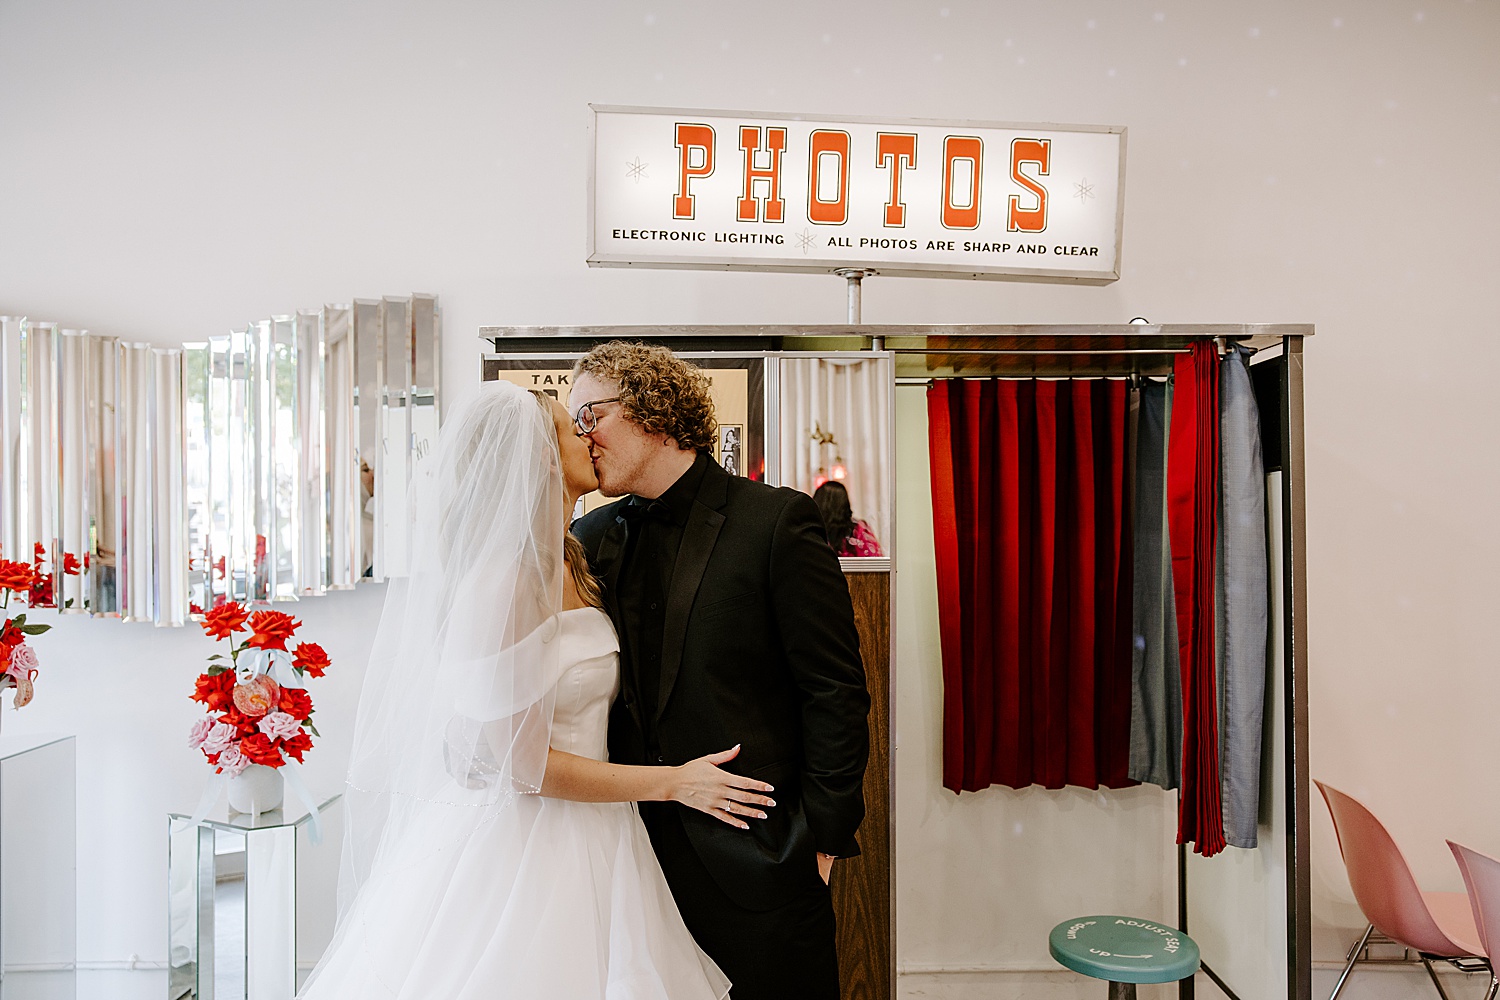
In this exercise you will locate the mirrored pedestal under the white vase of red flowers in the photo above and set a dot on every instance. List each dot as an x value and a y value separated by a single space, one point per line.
251 902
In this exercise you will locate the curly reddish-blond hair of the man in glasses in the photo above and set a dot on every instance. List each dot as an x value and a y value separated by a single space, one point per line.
659 391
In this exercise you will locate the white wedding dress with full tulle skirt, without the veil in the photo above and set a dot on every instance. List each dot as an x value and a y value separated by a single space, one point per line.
550 900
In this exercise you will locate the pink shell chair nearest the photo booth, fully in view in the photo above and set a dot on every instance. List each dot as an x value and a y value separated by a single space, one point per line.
1436 926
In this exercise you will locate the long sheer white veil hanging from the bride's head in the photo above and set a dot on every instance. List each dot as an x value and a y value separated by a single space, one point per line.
455 716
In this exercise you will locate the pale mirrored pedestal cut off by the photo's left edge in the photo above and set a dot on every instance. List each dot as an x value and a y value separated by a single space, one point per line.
38 869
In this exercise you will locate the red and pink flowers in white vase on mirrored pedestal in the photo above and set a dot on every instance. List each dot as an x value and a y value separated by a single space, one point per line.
259 711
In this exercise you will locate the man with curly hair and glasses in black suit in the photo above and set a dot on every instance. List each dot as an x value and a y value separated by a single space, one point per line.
736 627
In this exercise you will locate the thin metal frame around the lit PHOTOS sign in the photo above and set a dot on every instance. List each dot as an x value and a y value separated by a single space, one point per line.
871 266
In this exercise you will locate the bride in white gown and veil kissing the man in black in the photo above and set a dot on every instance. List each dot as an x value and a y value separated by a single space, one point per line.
491 848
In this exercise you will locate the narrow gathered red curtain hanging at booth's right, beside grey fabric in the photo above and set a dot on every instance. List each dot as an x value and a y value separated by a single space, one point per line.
1193 524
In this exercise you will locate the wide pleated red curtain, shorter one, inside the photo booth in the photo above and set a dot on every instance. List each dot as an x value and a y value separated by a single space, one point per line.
1034 581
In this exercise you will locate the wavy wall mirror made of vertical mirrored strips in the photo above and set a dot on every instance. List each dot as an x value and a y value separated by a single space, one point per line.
266 464
